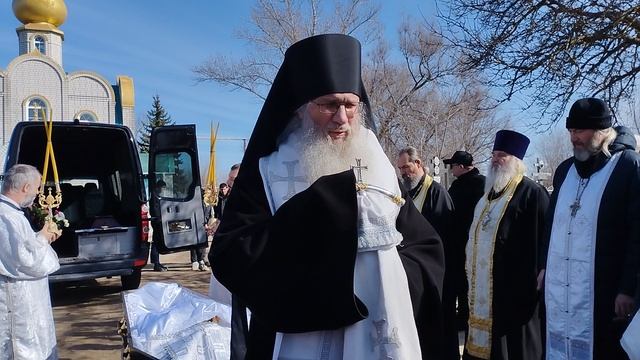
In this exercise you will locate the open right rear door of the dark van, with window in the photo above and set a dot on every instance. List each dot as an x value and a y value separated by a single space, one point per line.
175 192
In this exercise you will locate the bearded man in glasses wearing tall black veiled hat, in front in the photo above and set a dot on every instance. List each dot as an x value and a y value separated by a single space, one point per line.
317 239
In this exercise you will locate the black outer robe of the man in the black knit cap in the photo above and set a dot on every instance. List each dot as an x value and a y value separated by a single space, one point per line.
617 257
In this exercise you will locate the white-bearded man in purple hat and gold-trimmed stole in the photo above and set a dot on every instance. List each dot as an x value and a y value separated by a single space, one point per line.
502 258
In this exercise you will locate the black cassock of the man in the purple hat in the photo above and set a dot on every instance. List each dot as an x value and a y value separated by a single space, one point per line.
518 242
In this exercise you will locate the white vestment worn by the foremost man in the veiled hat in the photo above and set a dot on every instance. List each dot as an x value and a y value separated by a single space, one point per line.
379 280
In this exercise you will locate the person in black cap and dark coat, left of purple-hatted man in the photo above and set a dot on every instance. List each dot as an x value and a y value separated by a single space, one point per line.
466 190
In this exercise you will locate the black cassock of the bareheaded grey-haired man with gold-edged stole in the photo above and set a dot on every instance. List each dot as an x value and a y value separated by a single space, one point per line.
438 210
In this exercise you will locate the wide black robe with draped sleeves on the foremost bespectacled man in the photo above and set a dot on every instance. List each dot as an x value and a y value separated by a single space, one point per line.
294 269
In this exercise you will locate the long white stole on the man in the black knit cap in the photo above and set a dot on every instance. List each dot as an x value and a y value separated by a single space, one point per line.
569 285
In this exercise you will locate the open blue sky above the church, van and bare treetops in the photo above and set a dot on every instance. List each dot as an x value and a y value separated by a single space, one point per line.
158 42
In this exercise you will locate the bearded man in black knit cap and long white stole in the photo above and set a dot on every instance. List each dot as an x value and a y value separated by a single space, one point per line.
593 254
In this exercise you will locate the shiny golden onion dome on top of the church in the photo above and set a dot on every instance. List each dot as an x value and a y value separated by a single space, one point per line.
53 12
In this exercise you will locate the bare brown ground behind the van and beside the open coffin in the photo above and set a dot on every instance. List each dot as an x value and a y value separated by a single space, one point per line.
87 314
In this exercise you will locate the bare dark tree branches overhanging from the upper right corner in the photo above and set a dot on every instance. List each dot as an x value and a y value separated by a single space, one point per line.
549 52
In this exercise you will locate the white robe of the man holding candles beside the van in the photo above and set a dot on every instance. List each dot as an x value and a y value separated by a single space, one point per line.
26 259
